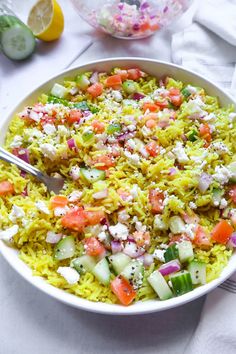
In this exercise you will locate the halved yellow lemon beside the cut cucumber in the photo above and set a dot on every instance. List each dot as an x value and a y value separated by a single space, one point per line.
46 20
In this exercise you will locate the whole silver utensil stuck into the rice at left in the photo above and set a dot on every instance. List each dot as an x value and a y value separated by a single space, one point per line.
53 184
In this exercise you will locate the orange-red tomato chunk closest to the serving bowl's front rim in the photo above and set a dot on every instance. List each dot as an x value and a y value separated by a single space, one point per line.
123 290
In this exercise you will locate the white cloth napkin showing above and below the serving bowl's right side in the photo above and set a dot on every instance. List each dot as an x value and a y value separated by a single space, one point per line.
208 46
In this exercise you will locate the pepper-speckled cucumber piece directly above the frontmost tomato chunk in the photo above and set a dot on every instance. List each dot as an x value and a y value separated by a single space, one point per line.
133 272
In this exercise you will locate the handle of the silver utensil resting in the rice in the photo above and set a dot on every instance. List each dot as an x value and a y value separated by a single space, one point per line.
8 157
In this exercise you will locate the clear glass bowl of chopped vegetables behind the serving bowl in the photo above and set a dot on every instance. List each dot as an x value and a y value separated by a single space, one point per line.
130 19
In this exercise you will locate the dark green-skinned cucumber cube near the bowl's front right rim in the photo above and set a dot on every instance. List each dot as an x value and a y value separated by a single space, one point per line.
181 282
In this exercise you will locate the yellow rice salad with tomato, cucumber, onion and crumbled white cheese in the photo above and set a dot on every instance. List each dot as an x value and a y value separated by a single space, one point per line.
148 208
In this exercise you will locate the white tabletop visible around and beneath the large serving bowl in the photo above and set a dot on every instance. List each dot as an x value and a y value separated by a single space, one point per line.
33 323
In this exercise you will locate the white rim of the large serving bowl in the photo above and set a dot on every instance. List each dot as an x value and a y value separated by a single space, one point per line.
145 307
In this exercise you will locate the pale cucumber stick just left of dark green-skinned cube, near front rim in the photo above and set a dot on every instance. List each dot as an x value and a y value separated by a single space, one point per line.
159 284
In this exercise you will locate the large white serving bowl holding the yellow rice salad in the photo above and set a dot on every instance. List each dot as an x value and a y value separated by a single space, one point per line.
158 69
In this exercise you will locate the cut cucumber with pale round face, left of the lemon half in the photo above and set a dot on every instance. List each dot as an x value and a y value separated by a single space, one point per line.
16 39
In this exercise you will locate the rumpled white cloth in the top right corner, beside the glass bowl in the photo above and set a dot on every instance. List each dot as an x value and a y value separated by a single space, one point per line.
208 46
